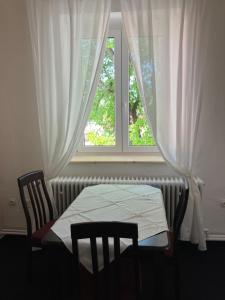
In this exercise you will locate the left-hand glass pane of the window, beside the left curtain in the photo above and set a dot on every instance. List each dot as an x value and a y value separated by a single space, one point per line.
100 129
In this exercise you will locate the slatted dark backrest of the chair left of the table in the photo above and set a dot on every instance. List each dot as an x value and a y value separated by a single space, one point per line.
33 189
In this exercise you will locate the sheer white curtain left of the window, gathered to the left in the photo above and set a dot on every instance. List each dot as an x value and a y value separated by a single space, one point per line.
68 40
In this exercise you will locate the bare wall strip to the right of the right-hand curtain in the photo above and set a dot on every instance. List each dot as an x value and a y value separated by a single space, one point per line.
211 141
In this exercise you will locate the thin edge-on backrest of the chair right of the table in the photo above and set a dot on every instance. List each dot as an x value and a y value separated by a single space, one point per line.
180 210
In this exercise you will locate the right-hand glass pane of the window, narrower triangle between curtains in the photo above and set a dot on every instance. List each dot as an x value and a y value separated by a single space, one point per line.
139 132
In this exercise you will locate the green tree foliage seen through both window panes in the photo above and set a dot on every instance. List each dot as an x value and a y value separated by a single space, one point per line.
101 125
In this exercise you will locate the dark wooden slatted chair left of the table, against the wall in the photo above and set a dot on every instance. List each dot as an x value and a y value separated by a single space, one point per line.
38 211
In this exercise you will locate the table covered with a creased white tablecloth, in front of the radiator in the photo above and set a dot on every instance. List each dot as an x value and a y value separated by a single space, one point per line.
140 204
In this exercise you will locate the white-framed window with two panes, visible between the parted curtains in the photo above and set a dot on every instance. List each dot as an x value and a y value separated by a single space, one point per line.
117 121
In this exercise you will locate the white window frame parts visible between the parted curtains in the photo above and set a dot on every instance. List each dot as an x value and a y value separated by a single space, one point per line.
121 60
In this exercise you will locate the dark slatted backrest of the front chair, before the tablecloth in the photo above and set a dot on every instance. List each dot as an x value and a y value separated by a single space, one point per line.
105 230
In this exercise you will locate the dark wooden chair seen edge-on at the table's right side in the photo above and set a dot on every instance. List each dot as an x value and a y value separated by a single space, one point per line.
171 253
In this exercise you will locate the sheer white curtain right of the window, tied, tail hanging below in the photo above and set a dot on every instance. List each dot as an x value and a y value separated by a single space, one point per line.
168 43
